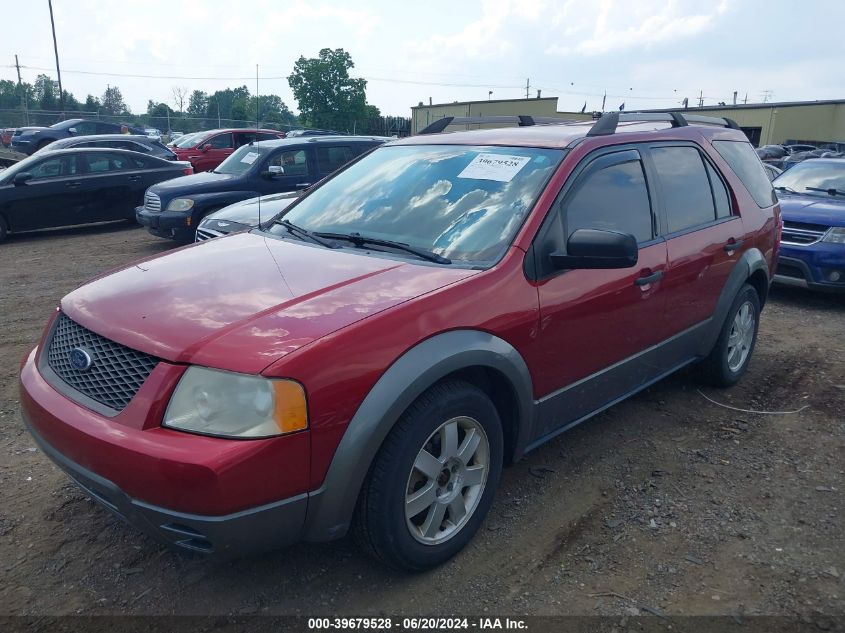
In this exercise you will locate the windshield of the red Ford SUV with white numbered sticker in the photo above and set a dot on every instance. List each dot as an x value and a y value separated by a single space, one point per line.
463 203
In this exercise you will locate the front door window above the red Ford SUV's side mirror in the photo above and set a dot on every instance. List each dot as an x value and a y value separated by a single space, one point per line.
614 198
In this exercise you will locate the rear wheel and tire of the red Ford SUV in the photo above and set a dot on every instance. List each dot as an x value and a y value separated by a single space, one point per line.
731 354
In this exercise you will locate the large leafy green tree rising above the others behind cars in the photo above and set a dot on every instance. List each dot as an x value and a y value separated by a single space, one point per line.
327 96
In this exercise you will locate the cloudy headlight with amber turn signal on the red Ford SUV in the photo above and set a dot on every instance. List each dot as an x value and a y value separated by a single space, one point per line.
215 402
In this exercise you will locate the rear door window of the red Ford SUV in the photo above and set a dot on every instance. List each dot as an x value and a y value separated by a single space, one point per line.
685 186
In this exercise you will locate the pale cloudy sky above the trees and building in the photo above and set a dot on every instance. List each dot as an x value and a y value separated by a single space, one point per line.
645 54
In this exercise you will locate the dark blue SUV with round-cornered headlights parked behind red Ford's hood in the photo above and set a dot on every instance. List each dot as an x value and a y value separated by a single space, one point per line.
175 208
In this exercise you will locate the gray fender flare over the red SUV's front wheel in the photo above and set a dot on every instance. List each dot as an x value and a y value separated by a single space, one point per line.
330 508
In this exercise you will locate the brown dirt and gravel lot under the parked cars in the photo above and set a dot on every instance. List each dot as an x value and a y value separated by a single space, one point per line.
664 503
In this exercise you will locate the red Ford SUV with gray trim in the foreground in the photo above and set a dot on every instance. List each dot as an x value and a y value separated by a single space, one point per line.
422 317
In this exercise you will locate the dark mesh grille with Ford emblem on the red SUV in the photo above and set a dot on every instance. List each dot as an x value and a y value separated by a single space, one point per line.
116 372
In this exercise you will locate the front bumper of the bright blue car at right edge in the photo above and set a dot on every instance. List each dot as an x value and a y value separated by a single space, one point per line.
811 266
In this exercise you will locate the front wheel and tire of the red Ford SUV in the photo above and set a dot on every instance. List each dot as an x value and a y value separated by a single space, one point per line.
433 480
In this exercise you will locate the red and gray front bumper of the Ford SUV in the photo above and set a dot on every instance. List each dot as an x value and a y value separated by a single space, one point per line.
216 496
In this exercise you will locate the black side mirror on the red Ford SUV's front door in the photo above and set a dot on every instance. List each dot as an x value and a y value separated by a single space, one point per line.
591 248
